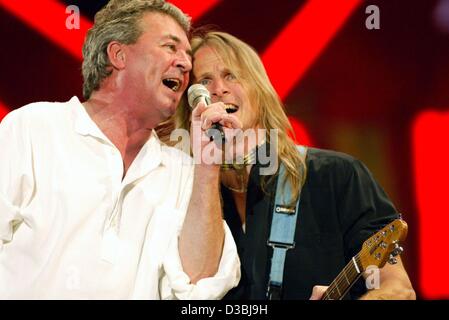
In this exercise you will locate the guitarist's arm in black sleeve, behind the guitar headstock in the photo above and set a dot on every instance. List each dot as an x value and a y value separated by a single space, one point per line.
365 208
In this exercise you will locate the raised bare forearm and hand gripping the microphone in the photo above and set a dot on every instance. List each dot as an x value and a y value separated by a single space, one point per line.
202 235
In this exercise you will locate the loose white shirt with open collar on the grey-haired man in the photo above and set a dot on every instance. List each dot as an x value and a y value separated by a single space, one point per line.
70 228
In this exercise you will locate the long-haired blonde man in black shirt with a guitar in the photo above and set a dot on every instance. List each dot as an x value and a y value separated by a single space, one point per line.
340 203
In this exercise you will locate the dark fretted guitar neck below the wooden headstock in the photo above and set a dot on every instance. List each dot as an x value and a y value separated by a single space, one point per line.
345 280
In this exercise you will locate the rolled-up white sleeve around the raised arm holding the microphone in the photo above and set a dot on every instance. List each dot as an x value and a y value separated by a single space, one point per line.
175 284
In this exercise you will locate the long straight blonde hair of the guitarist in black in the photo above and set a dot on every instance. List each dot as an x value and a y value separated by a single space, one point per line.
246 64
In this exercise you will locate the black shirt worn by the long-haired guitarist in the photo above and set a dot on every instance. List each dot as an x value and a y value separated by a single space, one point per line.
341 206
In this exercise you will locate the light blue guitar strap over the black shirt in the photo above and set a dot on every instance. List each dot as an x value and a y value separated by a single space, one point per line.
282 235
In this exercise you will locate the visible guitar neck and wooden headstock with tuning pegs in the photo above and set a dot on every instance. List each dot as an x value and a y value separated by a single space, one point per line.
383 246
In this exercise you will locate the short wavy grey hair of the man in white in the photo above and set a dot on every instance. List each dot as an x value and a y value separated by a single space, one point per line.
119 21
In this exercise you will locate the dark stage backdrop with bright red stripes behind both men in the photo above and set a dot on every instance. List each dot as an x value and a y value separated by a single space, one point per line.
380 95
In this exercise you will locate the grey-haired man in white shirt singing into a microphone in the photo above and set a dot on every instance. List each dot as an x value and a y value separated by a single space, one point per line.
92 205
